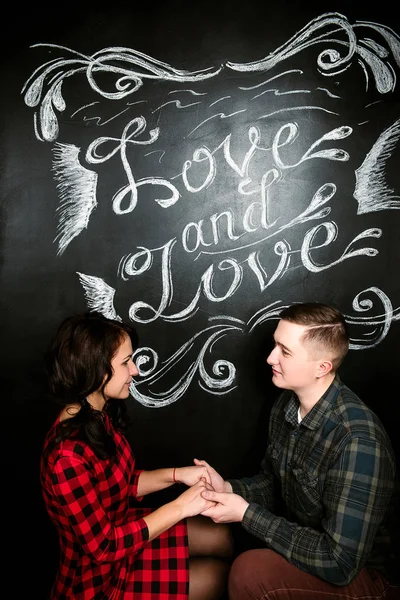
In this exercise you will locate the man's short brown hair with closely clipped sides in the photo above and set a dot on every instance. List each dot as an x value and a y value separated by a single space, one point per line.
327 329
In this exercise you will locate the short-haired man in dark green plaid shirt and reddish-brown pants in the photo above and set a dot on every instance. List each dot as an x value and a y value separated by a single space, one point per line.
326 482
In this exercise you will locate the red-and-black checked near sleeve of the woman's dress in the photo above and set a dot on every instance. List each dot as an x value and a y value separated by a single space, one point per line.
79 503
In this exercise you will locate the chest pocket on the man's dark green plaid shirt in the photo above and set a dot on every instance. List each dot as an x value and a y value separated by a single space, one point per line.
305 493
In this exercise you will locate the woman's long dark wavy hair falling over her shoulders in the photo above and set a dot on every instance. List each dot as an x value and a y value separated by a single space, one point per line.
78 363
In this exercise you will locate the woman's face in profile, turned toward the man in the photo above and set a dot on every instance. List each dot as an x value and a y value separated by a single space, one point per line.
123 370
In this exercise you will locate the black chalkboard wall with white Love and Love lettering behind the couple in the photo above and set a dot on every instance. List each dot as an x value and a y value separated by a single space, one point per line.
193 168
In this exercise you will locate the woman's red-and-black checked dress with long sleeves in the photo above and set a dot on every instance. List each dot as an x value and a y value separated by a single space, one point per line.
104 547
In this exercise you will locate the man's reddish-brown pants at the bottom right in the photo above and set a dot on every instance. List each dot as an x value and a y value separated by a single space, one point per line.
263 574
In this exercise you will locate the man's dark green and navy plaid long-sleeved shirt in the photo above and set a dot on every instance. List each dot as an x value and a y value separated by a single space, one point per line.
324 487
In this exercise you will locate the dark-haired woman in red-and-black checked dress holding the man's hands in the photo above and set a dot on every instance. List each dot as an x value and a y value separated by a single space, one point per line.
109 548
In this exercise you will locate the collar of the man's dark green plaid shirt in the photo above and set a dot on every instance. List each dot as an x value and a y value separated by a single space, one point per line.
319 412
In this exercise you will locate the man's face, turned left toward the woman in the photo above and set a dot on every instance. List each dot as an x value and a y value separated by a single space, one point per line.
292 366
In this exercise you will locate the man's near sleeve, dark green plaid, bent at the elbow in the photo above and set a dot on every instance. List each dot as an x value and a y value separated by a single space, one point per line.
355 497
